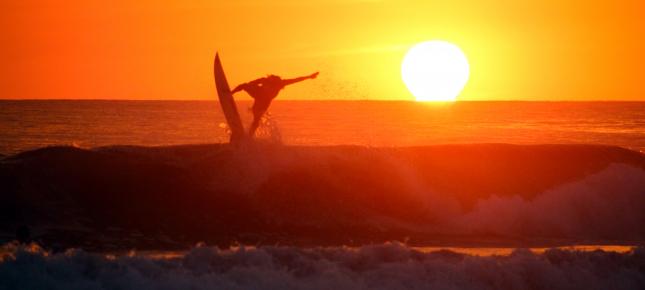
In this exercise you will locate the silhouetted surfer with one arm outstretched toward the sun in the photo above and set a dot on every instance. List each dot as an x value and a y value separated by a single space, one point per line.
263 91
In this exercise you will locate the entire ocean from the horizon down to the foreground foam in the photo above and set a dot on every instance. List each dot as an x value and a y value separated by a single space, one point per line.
339 195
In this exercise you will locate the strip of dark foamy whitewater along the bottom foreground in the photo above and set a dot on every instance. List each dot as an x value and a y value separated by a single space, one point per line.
388 266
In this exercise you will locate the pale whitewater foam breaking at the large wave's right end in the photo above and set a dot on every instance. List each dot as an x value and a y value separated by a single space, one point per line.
602 206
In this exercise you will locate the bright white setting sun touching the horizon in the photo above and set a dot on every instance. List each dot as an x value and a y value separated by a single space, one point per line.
435 71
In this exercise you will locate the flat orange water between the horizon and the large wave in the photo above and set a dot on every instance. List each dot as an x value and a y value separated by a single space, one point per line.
32 124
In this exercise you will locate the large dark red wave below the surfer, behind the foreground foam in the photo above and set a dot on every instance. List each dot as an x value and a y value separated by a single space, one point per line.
171 197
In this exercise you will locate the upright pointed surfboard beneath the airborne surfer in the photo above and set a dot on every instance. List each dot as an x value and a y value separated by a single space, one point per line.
228 103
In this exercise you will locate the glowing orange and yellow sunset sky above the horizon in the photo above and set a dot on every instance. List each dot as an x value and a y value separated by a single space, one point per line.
521 50
